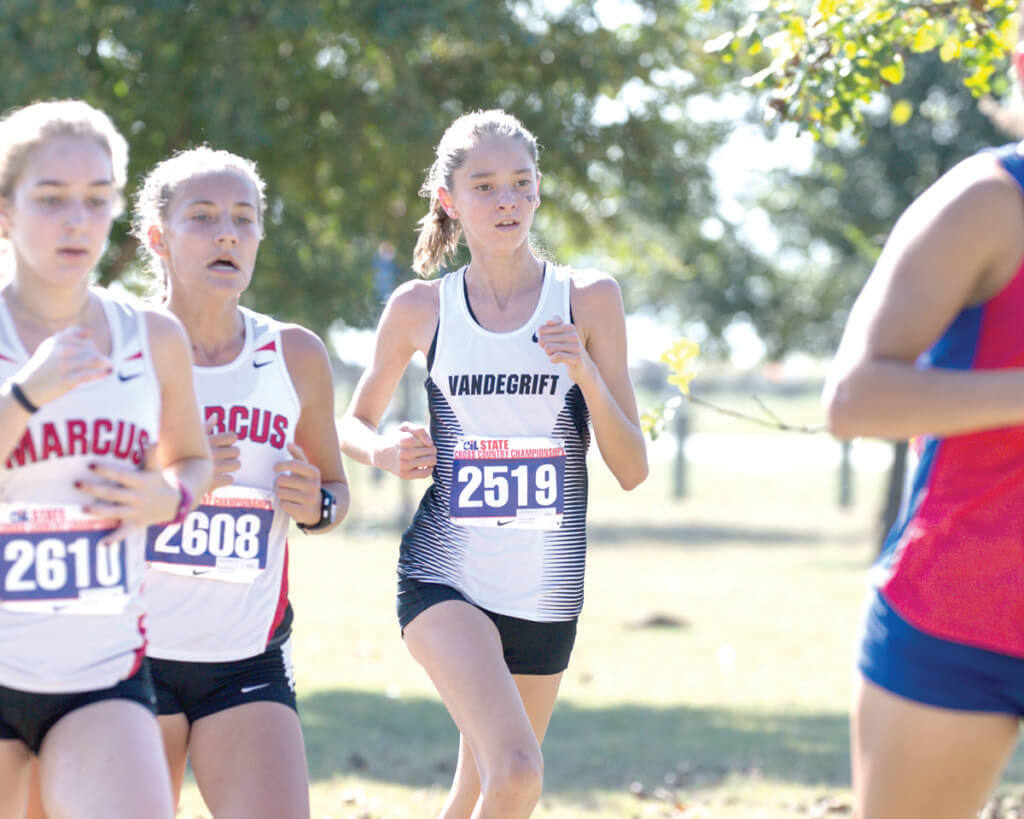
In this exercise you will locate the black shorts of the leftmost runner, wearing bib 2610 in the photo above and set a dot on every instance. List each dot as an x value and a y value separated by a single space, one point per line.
29 717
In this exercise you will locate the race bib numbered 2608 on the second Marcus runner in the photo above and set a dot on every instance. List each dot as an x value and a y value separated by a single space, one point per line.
227 538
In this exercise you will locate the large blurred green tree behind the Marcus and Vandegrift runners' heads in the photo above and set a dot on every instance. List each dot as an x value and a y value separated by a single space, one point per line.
342 103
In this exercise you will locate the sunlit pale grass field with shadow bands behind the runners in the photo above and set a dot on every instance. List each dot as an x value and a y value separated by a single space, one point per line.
740 711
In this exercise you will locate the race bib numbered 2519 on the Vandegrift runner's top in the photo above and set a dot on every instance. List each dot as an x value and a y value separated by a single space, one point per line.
508 483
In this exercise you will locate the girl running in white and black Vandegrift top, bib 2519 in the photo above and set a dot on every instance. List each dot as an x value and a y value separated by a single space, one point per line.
522 355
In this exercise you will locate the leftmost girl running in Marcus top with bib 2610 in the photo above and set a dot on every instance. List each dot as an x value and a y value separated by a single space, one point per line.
91 382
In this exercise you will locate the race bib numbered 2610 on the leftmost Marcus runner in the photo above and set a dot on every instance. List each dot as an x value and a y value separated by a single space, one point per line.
52 562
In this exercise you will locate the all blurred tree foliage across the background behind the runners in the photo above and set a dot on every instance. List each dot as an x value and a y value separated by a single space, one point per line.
343 102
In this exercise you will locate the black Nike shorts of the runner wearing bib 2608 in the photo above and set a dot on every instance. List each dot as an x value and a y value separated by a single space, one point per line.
199 689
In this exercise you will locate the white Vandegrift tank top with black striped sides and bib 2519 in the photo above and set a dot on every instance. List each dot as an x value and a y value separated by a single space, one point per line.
504 522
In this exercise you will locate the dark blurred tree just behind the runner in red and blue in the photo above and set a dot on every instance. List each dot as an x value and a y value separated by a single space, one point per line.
854 193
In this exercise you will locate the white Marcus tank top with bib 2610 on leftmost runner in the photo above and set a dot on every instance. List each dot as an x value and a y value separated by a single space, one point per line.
70 611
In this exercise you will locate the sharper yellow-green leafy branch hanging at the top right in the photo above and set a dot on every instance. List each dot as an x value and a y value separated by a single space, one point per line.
826 69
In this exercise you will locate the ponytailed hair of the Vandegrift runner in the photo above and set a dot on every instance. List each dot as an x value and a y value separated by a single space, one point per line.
440 233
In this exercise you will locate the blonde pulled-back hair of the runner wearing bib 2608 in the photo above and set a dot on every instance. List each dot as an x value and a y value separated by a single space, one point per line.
154 198
